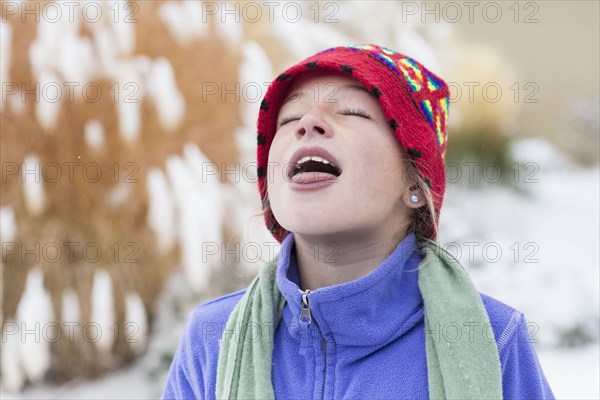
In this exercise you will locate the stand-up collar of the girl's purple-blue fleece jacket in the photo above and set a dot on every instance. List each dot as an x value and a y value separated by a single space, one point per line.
371 310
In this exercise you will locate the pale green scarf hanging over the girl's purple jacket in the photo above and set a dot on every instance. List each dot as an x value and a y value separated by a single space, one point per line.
468 368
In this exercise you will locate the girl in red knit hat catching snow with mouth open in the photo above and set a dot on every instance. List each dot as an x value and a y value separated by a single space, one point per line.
361 301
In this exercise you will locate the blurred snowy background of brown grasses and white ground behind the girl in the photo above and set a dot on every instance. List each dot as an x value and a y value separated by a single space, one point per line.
129 184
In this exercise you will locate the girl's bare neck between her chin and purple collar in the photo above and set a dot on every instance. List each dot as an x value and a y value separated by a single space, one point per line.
327 261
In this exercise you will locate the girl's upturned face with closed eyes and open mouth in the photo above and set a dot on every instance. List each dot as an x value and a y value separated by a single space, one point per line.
365 192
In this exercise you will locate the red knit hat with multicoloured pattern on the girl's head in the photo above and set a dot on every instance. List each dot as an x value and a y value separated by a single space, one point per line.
413 99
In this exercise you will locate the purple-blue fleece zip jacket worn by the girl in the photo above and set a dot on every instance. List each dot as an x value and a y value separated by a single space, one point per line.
366 339
